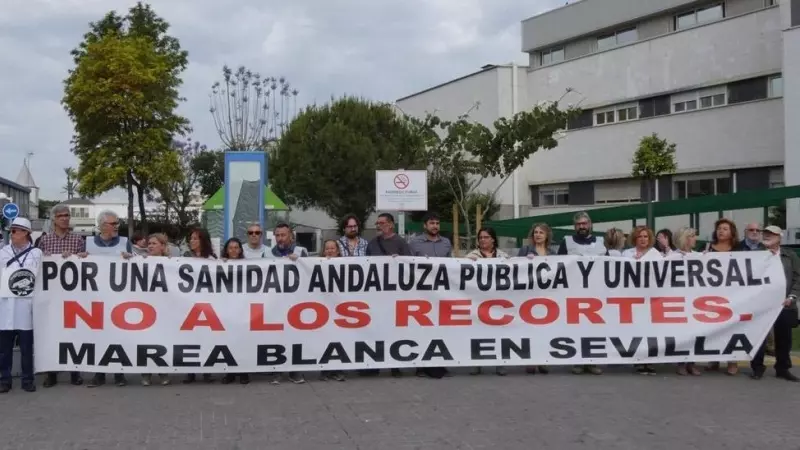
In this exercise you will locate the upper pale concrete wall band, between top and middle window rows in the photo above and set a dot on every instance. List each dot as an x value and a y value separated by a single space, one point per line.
731 48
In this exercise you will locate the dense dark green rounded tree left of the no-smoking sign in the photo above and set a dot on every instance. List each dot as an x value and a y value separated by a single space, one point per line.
329 154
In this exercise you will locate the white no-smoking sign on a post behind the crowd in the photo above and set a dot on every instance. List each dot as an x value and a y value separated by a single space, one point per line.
401 190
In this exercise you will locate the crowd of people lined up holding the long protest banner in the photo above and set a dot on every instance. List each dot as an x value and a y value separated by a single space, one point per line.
16 323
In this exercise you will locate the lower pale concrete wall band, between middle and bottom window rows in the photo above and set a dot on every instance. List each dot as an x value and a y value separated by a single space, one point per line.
712 139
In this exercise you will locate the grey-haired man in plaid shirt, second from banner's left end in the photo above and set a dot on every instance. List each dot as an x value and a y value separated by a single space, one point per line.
62 241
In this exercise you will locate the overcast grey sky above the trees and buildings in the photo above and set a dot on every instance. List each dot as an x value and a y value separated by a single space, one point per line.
378 49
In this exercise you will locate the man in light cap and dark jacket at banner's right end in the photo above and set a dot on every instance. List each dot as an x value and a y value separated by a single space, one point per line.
787 319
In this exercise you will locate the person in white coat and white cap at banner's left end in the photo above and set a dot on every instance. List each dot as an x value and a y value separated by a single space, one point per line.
19 263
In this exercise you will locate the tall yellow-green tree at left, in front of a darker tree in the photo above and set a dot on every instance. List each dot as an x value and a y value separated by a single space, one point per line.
121 97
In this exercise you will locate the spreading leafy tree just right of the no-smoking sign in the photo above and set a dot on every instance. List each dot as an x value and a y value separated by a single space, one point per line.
479 152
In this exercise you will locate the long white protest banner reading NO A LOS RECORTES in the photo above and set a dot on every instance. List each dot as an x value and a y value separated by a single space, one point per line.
104 314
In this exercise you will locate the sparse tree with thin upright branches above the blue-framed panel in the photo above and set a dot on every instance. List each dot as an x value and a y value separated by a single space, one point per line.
249 110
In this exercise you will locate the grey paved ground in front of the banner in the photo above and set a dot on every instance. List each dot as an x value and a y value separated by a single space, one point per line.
560 411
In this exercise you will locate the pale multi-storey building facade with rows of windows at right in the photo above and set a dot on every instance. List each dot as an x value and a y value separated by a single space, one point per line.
719 79
